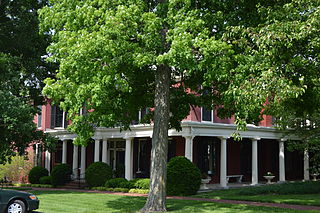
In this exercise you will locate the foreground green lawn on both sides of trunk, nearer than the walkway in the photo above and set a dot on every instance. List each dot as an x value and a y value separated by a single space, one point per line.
78 202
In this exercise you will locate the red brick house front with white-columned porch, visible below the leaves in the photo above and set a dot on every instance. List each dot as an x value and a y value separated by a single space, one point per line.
205 140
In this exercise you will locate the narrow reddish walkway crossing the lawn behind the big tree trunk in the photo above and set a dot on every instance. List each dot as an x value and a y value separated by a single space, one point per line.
251 203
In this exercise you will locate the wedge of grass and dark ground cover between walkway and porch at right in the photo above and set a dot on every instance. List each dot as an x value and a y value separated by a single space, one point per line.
291 193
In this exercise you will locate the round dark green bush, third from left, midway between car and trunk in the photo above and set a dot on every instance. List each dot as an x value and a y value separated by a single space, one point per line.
98 173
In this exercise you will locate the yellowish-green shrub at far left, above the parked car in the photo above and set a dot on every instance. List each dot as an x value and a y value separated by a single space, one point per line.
17 170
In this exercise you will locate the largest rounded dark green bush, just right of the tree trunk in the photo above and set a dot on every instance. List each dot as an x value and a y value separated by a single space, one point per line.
183 177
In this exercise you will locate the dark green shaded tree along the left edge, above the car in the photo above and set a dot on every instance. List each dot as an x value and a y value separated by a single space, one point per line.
22 70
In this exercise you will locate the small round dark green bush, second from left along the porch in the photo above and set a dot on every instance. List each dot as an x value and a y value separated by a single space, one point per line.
60 175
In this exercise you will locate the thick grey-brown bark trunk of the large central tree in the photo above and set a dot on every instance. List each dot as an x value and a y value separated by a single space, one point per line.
158 174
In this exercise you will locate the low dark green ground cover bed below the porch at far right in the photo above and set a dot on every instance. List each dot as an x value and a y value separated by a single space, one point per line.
311 187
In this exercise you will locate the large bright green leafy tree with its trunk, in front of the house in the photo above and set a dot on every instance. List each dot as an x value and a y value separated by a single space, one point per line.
117 57
